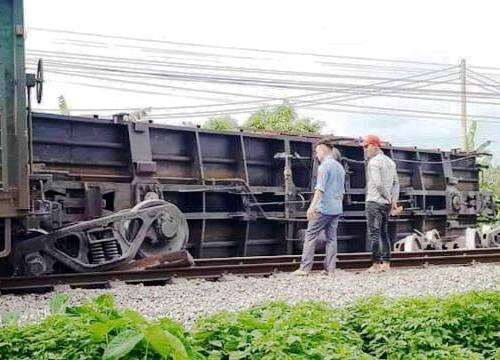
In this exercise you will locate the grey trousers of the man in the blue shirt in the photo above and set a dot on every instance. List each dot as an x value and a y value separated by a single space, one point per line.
328 224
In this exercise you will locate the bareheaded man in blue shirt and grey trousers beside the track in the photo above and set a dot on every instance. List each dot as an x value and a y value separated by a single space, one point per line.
325 209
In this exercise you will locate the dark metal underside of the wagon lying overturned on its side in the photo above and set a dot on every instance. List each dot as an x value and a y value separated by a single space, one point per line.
242 194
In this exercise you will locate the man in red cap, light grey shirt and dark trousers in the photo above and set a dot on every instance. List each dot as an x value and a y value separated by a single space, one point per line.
382 193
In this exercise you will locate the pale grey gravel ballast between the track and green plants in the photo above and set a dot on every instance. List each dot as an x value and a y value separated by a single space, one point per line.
185 300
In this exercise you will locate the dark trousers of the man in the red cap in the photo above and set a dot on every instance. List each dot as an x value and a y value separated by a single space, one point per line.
377 217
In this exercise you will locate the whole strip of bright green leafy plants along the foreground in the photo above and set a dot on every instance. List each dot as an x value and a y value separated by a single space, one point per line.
460 326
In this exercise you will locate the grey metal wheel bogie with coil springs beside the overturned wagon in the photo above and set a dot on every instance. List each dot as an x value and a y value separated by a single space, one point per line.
151 228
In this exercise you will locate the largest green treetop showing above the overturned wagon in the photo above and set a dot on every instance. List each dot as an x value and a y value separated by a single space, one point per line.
282 118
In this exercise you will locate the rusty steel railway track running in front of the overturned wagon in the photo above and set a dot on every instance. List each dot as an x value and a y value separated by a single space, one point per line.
256 266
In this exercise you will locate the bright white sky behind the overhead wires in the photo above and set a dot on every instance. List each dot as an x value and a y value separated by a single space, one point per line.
422 31
